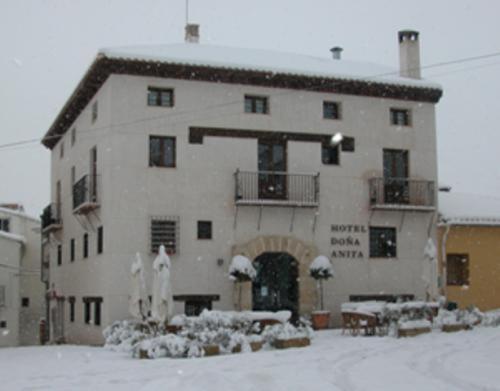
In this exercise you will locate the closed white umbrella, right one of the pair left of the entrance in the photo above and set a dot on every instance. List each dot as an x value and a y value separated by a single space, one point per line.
162 304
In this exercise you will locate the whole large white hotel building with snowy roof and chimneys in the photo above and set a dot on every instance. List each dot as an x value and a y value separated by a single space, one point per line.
217 151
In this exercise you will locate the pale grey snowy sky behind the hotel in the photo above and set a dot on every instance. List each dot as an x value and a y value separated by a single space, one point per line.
47 45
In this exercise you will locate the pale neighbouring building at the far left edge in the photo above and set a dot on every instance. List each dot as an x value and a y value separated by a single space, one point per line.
21 292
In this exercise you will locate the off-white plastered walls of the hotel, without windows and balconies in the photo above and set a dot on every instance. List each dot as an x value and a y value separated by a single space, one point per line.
201 187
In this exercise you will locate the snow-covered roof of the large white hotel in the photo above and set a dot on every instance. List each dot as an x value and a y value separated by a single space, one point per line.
264 60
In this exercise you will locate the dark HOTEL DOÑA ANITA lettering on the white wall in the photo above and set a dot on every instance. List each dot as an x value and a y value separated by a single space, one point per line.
346 240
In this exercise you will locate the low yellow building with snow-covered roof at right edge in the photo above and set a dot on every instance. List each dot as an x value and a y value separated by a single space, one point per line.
469 236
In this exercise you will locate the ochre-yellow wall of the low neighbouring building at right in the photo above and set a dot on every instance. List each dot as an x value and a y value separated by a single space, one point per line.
482 244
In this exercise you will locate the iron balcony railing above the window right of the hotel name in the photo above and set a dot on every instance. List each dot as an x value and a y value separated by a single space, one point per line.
402 194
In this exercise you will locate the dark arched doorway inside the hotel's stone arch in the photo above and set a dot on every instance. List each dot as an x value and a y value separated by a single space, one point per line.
276 287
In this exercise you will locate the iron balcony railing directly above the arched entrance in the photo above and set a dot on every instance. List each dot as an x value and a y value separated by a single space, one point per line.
276 188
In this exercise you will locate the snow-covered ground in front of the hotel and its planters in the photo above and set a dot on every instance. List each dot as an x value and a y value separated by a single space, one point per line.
468 360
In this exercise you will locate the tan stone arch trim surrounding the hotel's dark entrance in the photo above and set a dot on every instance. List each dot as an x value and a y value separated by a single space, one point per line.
302 251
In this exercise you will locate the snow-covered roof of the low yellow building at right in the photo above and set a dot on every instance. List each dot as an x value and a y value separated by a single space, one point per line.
468 209
